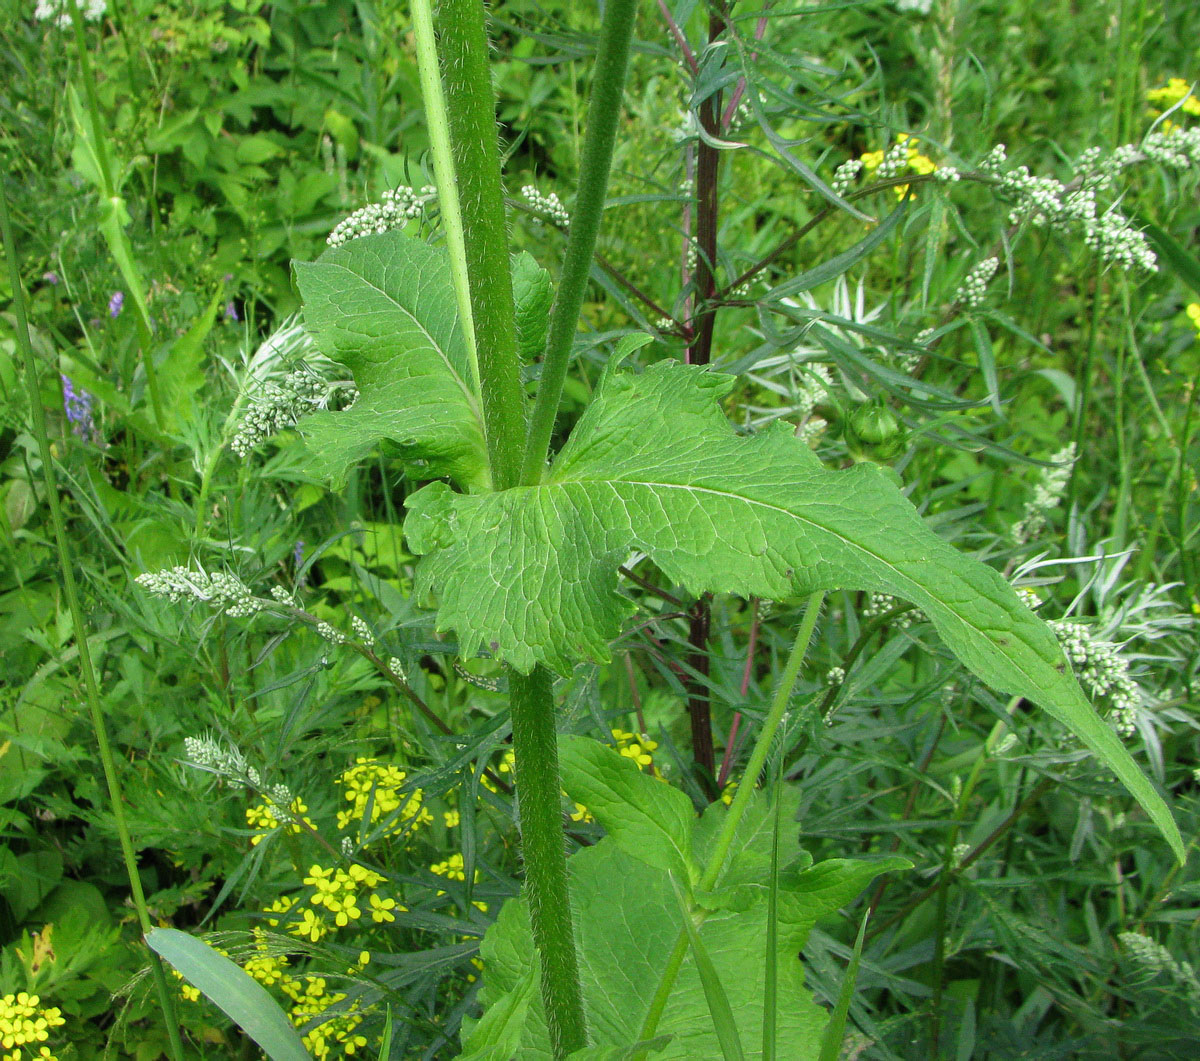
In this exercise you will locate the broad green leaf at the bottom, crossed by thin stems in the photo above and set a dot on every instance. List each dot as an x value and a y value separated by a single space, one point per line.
628 919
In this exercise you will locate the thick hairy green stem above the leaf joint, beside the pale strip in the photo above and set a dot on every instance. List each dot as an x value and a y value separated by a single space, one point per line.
471 110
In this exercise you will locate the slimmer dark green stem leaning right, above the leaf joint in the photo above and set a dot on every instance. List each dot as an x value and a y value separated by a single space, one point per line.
604 111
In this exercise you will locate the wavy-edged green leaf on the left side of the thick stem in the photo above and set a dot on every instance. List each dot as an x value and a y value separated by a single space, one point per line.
385 308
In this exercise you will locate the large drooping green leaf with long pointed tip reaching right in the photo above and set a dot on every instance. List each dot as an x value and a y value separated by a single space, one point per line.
653 465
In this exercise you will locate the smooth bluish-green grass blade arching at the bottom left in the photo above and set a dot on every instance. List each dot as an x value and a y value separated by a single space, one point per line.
232 991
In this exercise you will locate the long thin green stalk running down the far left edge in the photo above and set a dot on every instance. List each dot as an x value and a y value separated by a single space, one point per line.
79 625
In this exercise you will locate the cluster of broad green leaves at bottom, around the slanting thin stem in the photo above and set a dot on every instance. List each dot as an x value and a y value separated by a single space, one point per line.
613 885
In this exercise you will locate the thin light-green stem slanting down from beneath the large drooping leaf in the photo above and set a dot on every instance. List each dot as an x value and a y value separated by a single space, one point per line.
737 810
